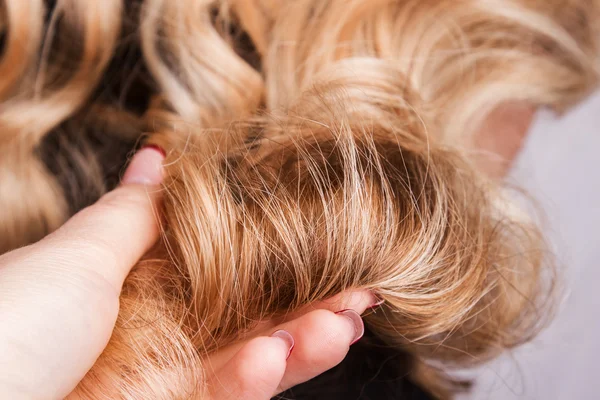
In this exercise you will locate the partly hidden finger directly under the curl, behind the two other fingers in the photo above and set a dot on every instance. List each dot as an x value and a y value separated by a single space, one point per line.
358 300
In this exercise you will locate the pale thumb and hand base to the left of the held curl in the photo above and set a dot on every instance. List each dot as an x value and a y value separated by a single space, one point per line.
59 297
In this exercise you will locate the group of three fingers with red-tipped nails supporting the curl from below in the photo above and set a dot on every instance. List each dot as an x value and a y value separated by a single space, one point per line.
315 341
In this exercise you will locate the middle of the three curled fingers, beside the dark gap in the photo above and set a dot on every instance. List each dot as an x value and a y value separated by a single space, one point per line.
322 340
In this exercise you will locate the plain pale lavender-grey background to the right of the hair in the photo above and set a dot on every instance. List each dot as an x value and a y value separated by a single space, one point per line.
559 167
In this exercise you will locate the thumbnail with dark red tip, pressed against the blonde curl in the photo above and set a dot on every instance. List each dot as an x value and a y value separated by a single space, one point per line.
146 167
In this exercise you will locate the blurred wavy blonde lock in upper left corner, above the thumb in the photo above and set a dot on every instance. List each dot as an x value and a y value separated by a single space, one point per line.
45 79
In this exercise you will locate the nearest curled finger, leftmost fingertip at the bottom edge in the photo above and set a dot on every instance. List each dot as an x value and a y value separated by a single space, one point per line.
255 372
